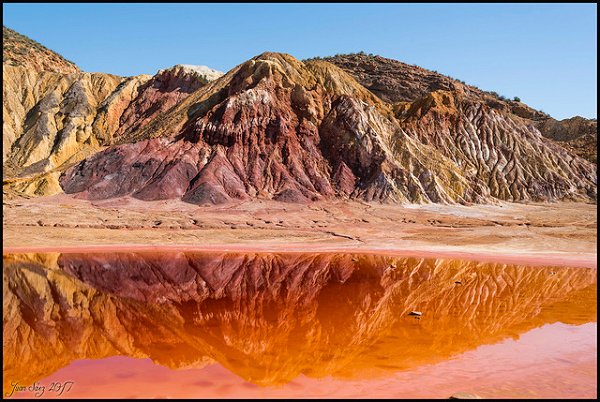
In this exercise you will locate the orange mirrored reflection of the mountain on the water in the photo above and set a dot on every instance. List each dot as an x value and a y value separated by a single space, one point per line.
269 318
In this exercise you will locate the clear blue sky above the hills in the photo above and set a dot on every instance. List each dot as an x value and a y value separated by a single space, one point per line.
544 53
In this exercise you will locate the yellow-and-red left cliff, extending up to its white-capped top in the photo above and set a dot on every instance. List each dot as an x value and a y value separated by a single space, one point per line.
53 120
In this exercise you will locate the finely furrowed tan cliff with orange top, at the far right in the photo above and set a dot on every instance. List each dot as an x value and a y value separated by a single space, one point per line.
507 159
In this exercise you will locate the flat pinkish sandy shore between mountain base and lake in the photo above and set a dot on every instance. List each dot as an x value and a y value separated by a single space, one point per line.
536 234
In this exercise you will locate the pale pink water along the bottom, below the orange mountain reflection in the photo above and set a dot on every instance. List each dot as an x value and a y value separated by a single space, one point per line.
553 361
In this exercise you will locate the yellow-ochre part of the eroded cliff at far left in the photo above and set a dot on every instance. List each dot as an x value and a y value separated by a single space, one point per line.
50 123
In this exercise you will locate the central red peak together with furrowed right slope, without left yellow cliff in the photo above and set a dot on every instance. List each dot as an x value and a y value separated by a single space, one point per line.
279 129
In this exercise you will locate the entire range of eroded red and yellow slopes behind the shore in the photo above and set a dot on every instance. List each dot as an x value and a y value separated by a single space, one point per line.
277 128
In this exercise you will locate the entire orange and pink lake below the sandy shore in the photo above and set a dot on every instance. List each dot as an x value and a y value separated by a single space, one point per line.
293 326
